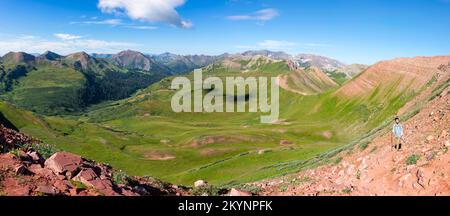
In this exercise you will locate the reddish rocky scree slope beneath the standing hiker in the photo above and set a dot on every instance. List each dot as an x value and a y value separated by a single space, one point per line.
422 167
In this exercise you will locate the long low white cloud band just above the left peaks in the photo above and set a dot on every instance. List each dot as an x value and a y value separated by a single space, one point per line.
61 46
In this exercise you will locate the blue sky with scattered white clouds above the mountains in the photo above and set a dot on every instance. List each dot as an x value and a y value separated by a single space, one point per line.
353 31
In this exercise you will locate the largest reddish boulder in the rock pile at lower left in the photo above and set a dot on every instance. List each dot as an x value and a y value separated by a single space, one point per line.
64 163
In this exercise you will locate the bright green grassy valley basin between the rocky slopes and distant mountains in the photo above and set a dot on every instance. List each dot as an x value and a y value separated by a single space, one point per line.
133 133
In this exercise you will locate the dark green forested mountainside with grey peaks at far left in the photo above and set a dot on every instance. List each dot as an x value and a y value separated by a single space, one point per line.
52 84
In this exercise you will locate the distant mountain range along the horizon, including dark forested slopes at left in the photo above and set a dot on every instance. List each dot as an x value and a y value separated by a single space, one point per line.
54 84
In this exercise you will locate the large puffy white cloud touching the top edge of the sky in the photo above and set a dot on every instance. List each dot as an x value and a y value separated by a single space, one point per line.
147 10
